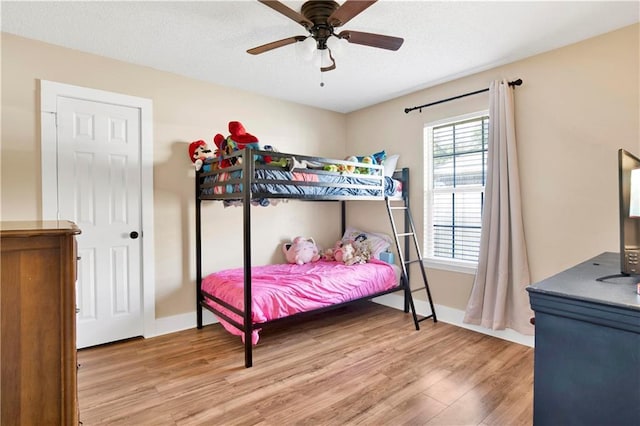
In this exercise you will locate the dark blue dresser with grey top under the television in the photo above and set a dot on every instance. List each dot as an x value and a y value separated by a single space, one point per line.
587 348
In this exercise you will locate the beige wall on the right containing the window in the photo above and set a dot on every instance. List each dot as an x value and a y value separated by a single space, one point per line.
577 106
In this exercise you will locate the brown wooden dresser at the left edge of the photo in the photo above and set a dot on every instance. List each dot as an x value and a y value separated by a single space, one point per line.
38 340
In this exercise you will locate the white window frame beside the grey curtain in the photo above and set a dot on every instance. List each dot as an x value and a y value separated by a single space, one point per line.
454 265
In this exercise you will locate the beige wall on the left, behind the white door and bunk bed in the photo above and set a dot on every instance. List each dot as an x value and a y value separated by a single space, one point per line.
183 110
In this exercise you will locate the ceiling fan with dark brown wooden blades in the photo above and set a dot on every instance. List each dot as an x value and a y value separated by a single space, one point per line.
320 18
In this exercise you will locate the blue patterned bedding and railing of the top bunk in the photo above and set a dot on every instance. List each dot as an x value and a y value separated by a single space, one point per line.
294 177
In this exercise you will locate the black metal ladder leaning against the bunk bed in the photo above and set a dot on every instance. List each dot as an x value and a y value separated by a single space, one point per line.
405 261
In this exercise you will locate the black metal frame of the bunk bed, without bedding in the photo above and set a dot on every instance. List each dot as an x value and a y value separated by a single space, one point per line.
248 180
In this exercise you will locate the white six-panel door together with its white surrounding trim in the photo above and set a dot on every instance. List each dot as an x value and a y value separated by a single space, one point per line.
97 170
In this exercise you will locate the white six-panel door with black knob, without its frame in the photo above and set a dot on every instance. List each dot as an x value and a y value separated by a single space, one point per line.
98 157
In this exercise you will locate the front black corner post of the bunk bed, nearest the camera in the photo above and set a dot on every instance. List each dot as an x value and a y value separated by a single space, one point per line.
247 178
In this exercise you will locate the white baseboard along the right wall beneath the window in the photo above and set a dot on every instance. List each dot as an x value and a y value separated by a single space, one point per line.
454 317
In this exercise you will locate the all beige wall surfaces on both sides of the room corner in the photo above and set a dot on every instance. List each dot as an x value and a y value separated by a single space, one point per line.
577 106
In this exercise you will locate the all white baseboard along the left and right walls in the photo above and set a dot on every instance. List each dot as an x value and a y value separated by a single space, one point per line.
166 325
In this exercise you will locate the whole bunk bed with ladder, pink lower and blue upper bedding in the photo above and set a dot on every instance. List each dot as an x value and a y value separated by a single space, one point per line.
254 177
